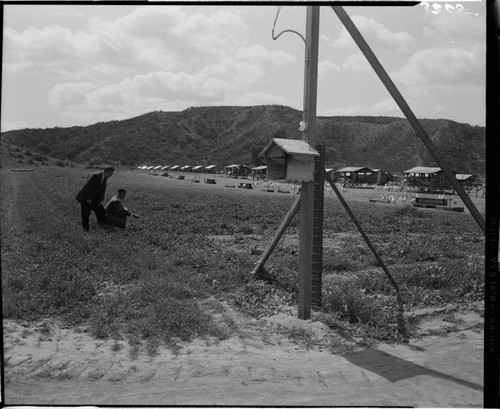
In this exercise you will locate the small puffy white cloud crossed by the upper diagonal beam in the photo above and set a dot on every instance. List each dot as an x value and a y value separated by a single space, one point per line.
375 33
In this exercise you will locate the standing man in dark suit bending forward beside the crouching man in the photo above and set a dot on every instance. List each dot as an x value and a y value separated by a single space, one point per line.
91 197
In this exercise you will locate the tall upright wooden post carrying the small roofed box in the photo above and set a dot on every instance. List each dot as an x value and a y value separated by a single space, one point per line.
306 234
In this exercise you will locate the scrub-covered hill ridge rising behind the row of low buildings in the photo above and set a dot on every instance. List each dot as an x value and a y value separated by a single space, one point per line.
231 134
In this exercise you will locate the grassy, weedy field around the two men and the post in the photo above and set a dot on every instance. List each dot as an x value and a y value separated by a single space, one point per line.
152 284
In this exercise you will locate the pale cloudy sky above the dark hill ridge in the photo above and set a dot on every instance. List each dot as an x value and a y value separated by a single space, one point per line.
77 65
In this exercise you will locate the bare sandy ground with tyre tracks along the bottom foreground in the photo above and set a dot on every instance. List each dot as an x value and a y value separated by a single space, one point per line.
46 363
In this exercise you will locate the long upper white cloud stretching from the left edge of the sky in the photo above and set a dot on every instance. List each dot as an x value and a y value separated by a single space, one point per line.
154 37
